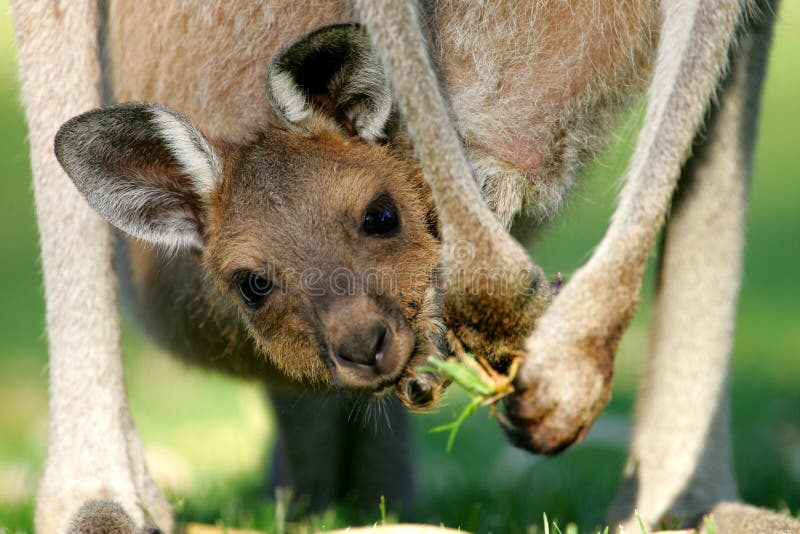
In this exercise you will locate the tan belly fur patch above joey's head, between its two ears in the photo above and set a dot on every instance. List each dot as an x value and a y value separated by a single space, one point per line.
228 49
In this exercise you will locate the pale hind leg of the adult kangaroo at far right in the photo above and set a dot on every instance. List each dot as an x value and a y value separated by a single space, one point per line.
680 461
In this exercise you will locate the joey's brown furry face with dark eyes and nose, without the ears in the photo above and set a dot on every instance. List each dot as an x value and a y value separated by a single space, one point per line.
327 246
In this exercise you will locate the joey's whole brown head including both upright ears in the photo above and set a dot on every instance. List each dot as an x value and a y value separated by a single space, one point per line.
322 238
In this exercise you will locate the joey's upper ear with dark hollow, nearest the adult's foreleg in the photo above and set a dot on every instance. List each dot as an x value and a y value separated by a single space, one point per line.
331 79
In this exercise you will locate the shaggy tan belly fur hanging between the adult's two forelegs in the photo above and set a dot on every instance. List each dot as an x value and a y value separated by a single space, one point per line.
534 98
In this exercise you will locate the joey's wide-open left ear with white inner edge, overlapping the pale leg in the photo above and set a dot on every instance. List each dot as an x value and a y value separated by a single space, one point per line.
144 168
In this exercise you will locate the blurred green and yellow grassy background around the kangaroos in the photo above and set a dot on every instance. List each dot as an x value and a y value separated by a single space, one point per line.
208 437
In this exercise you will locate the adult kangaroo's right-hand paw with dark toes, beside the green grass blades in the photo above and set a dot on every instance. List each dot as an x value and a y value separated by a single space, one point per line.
565 376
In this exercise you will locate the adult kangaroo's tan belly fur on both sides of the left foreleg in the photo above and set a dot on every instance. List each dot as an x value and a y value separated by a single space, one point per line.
534 85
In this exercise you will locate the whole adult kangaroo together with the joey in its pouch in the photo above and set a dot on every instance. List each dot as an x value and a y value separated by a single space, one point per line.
497 105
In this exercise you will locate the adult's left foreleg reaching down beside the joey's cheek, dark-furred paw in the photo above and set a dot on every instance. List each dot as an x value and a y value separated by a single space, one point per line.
493 291
